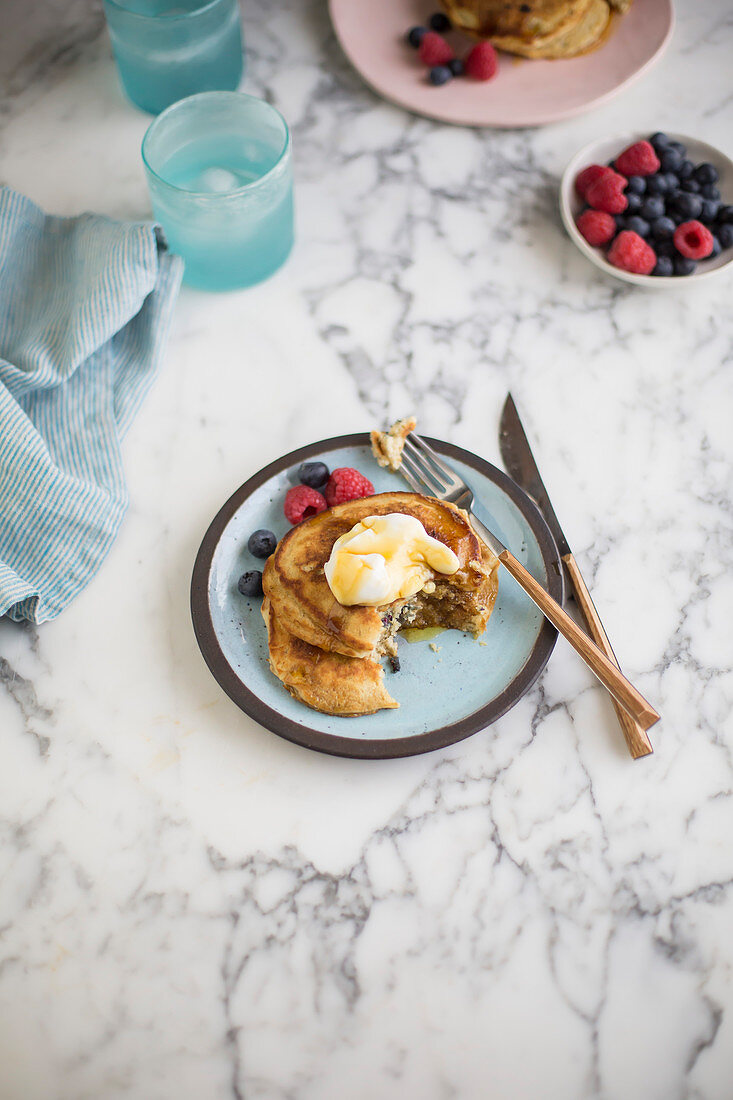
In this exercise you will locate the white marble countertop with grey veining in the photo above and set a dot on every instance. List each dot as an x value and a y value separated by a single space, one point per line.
192 908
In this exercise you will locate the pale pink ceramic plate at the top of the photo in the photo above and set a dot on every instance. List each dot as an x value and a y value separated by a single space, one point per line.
524 93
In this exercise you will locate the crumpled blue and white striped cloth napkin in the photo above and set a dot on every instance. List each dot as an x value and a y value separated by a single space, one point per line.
85 309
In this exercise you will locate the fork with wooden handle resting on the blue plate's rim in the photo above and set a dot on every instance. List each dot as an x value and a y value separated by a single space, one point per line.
428 475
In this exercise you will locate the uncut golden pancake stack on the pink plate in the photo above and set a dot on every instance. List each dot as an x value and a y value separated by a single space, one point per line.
550 29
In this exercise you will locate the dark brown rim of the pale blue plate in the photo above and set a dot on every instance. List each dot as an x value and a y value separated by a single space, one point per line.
382 749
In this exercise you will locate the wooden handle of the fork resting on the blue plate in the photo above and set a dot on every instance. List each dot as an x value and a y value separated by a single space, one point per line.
609 674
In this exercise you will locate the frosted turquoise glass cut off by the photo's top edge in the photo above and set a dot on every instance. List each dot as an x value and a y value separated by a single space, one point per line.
167 50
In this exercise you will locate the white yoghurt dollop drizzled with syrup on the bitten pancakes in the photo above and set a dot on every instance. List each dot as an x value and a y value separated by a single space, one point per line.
386 558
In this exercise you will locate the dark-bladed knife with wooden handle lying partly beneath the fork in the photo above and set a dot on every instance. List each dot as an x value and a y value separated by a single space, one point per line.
522 467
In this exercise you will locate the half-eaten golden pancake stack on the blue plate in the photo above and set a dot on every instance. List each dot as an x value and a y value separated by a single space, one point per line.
330 656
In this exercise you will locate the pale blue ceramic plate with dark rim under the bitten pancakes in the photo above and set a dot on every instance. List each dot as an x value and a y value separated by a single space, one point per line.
444 697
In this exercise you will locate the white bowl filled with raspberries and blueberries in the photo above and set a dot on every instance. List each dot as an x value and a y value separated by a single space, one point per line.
651 210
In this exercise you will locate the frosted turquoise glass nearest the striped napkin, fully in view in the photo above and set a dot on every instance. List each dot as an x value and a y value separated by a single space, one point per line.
221 179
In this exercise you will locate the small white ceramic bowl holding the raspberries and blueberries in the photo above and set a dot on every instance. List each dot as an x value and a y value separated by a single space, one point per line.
601 152
